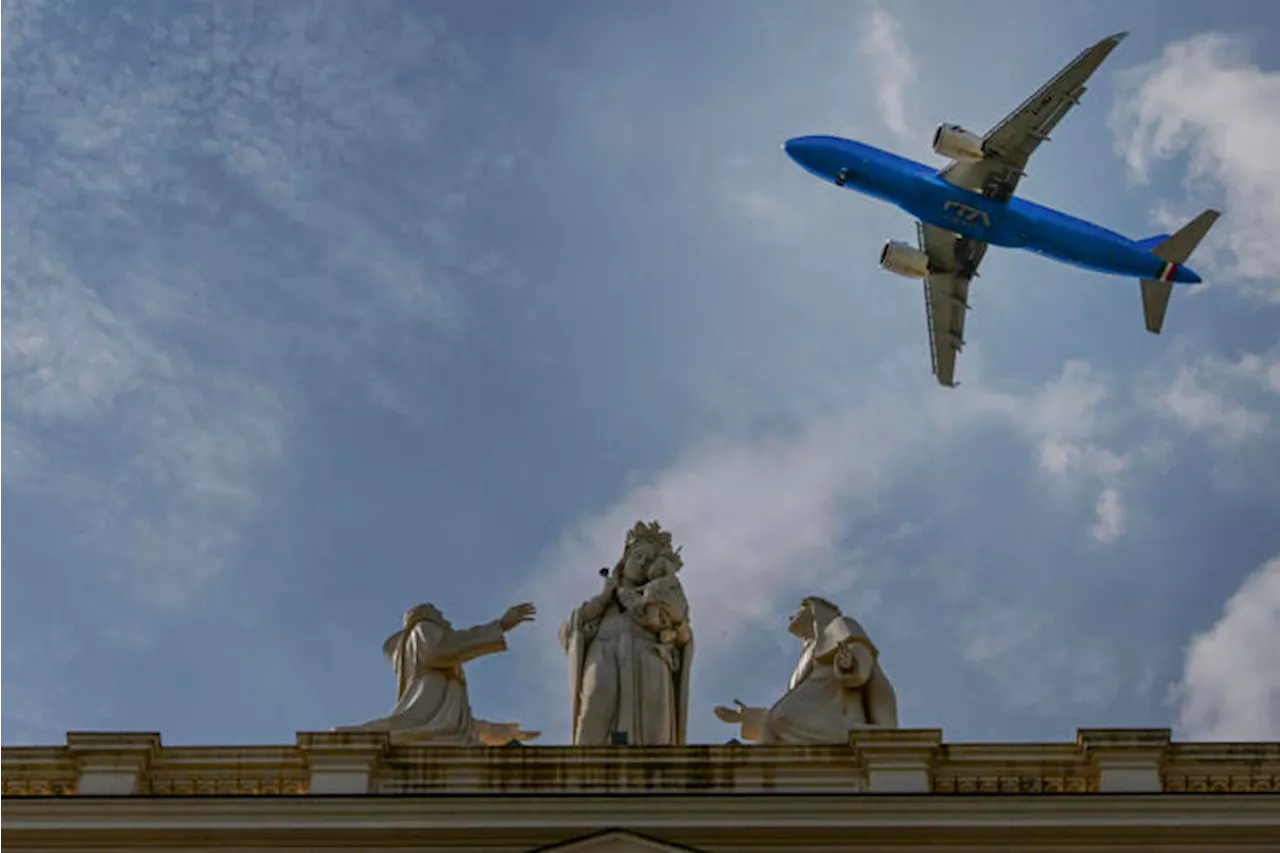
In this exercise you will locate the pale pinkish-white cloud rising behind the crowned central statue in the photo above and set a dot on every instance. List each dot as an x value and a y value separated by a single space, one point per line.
760 521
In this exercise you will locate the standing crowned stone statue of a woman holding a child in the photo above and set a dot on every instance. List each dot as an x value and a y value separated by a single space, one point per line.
630 650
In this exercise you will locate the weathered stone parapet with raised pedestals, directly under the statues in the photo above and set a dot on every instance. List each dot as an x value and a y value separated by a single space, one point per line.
911 761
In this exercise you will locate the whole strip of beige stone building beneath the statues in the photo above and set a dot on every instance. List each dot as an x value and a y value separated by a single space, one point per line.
885 791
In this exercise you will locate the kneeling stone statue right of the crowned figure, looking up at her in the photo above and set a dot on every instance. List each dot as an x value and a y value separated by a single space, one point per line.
838 686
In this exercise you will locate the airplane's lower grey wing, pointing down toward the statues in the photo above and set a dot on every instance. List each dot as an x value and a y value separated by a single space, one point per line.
953 264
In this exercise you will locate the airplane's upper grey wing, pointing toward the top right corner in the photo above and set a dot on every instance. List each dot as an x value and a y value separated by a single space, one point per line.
1012 143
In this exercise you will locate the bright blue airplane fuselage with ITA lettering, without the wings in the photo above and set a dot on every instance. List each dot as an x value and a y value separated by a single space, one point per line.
1018 223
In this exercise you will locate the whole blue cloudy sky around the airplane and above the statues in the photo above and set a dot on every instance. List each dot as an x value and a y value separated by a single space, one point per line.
312 312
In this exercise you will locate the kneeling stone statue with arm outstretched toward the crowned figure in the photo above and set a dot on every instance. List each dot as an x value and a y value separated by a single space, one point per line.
432 699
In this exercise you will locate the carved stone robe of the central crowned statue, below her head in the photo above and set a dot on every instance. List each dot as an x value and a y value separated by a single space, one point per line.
624 678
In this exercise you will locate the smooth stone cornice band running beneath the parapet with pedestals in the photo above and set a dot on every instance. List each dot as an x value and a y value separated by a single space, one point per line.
729 820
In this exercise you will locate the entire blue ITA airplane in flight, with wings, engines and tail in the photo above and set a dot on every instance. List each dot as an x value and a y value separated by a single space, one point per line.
971 204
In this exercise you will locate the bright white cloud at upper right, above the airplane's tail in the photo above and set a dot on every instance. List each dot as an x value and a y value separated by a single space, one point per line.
1203 99
